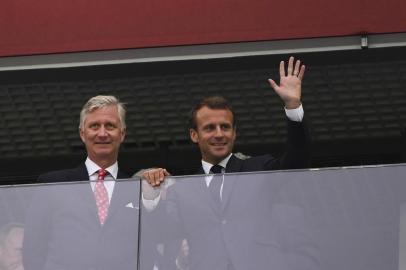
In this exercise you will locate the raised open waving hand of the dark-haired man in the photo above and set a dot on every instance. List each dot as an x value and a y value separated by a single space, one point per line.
290 84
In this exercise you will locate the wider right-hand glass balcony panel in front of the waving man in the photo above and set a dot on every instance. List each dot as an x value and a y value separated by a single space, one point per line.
348 218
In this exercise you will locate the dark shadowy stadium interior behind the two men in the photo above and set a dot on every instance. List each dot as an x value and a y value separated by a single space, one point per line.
354 101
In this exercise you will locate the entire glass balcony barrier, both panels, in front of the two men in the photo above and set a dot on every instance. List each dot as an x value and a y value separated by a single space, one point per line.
347 218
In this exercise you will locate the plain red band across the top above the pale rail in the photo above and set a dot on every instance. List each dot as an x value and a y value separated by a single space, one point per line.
51 26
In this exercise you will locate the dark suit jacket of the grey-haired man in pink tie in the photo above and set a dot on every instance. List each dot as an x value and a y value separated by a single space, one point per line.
63 230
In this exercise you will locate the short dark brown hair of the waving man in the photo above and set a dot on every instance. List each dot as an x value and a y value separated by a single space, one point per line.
212 102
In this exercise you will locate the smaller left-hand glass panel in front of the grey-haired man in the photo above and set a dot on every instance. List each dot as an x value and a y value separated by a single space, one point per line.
62 230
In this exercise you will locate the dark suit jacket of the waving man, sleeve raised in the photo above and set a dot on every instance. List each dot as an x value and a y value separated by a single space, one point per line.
255 228
